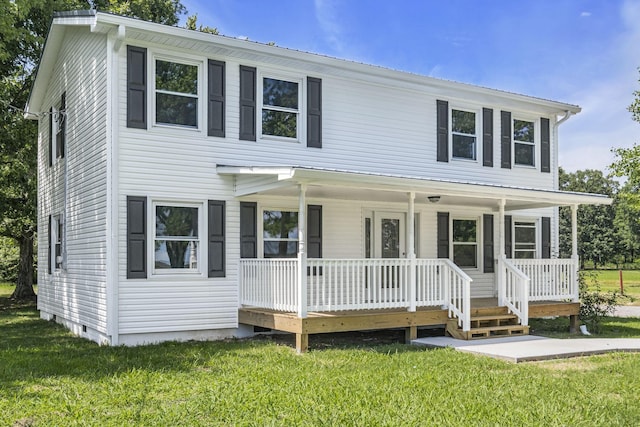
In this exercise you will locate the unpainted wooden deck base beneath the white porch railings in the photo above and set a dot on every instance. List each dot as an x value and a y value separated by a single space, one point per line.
361 320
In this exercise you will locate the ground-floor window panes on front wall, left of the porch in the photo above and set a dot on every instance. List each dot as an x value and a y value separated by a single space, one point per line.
176 240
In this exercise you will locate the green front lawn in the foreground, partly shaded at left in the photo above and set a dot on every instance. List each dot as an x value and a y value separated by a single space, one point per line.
48 377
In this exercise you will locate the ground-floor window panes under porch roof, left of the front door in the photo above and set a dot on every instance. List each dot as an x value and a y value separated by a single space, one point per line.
280 233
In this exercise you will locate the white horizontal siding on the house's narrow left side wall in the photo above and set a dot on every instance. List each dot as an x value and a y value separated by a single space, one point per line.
79 293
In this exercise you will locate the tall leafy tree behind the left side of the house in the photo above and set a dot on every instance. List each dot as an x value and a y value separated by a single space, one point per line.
23 28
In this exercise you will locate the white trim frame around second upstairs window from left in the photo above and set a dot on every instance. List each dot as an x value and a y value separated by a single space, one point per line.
301 111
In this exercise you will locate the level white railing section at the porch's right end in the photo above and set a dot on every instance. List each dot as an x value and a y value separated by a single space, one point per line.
551 279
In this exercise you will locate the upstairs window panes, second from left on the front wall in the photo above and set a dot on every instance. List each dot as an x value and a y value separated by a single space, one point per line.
280 108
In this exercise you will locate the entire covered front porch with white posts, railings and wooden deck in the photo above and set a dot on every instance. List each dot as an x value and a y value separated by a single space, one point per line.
393 286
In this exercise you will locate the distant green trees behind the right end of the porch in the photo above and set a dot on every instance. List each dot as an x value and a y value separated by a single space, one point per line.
596 232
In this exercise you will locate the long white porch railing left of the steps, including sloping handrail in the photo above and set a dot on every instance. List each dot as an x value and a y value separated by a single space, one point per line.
357 284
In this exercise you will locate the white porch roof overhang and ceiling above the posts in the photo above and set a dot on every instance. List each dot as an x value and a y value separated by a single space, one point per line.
348 185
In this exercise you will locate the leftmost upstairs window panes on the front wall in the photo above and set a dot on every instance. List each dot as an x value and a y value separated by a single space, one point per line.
176 91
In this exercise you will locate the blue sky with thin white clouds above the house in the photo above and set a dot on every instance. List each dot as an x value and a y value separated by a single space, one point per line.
583 52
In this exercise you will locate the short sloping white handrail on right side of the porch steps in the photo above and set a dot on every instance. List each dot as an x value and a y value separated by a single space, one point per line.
513 290
